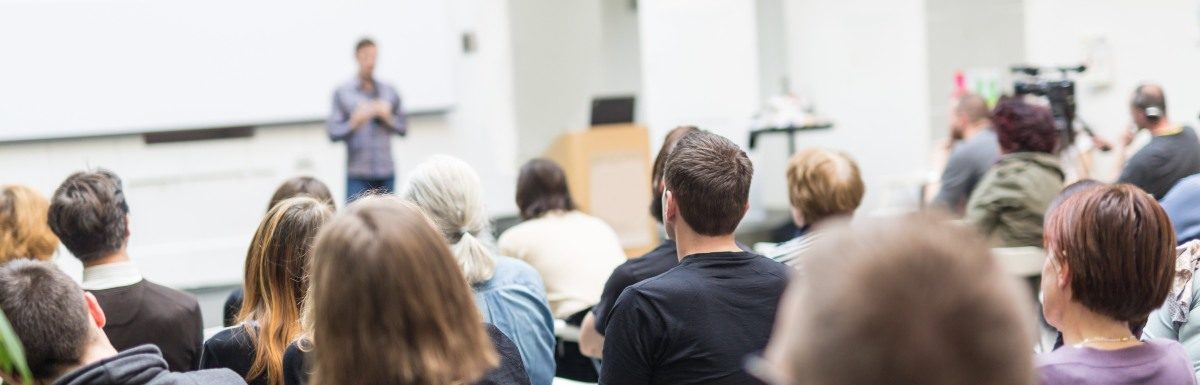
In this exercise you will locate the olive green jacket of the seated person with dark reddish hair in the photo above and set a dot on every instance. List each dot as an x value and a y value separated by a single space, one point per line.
1011 201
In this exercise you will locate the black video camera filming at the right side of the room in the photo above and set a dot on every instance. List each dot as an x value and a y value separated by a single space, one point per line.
1061 94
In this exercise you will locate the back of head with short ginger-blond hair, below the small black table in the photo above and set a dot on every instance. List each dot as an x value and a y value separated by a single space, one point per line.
824 184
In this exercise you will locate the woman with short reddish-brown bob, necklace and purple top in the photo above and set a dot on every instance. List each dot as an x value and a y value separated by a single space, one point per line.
1111 263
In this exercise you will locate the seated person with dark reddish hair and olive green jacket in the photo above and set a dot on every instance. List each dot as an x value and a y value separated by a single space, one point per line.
1011 201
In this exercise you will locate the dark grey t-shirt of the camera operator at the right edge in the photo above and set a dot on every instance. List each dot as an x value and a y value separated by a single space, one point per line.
1165 163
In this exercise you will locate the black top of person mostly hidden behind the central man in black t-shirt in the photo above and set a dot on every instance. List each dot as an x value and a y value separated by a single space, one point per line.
657 262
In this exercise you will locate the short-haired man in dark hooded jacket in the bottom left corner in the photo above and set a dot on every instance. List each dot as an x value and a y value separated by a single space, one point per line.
61 328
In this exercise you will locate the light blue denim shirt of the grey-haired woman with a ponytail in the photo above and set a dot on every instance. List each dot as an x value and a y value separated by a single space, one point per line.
515 302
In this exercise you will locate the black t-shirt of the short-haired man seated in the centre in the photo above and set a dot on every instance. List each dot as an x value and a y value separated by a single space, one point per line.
697 323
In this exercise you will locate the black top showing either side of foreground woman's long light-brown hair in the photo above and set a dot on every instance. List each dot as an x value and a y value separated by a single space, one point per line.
511 372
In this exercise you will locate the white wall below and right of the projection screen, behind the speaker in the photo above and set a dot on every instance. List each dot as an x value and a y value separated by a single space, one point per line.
195 206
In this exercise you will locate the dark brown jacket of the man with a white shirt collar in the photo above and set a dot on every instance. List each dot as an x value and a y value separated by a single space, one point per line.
149 314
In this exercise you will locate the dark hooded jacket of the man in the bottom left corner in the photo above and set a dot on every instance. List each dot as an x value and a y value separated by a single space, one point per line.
143 366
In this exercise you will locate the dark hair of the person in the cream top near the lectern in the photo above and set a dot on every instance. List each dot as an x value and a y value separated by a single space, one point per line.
542 188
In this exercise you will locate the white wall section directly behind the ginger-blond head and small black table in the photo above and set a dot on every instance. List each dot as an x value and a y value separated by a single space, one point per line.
863 63
